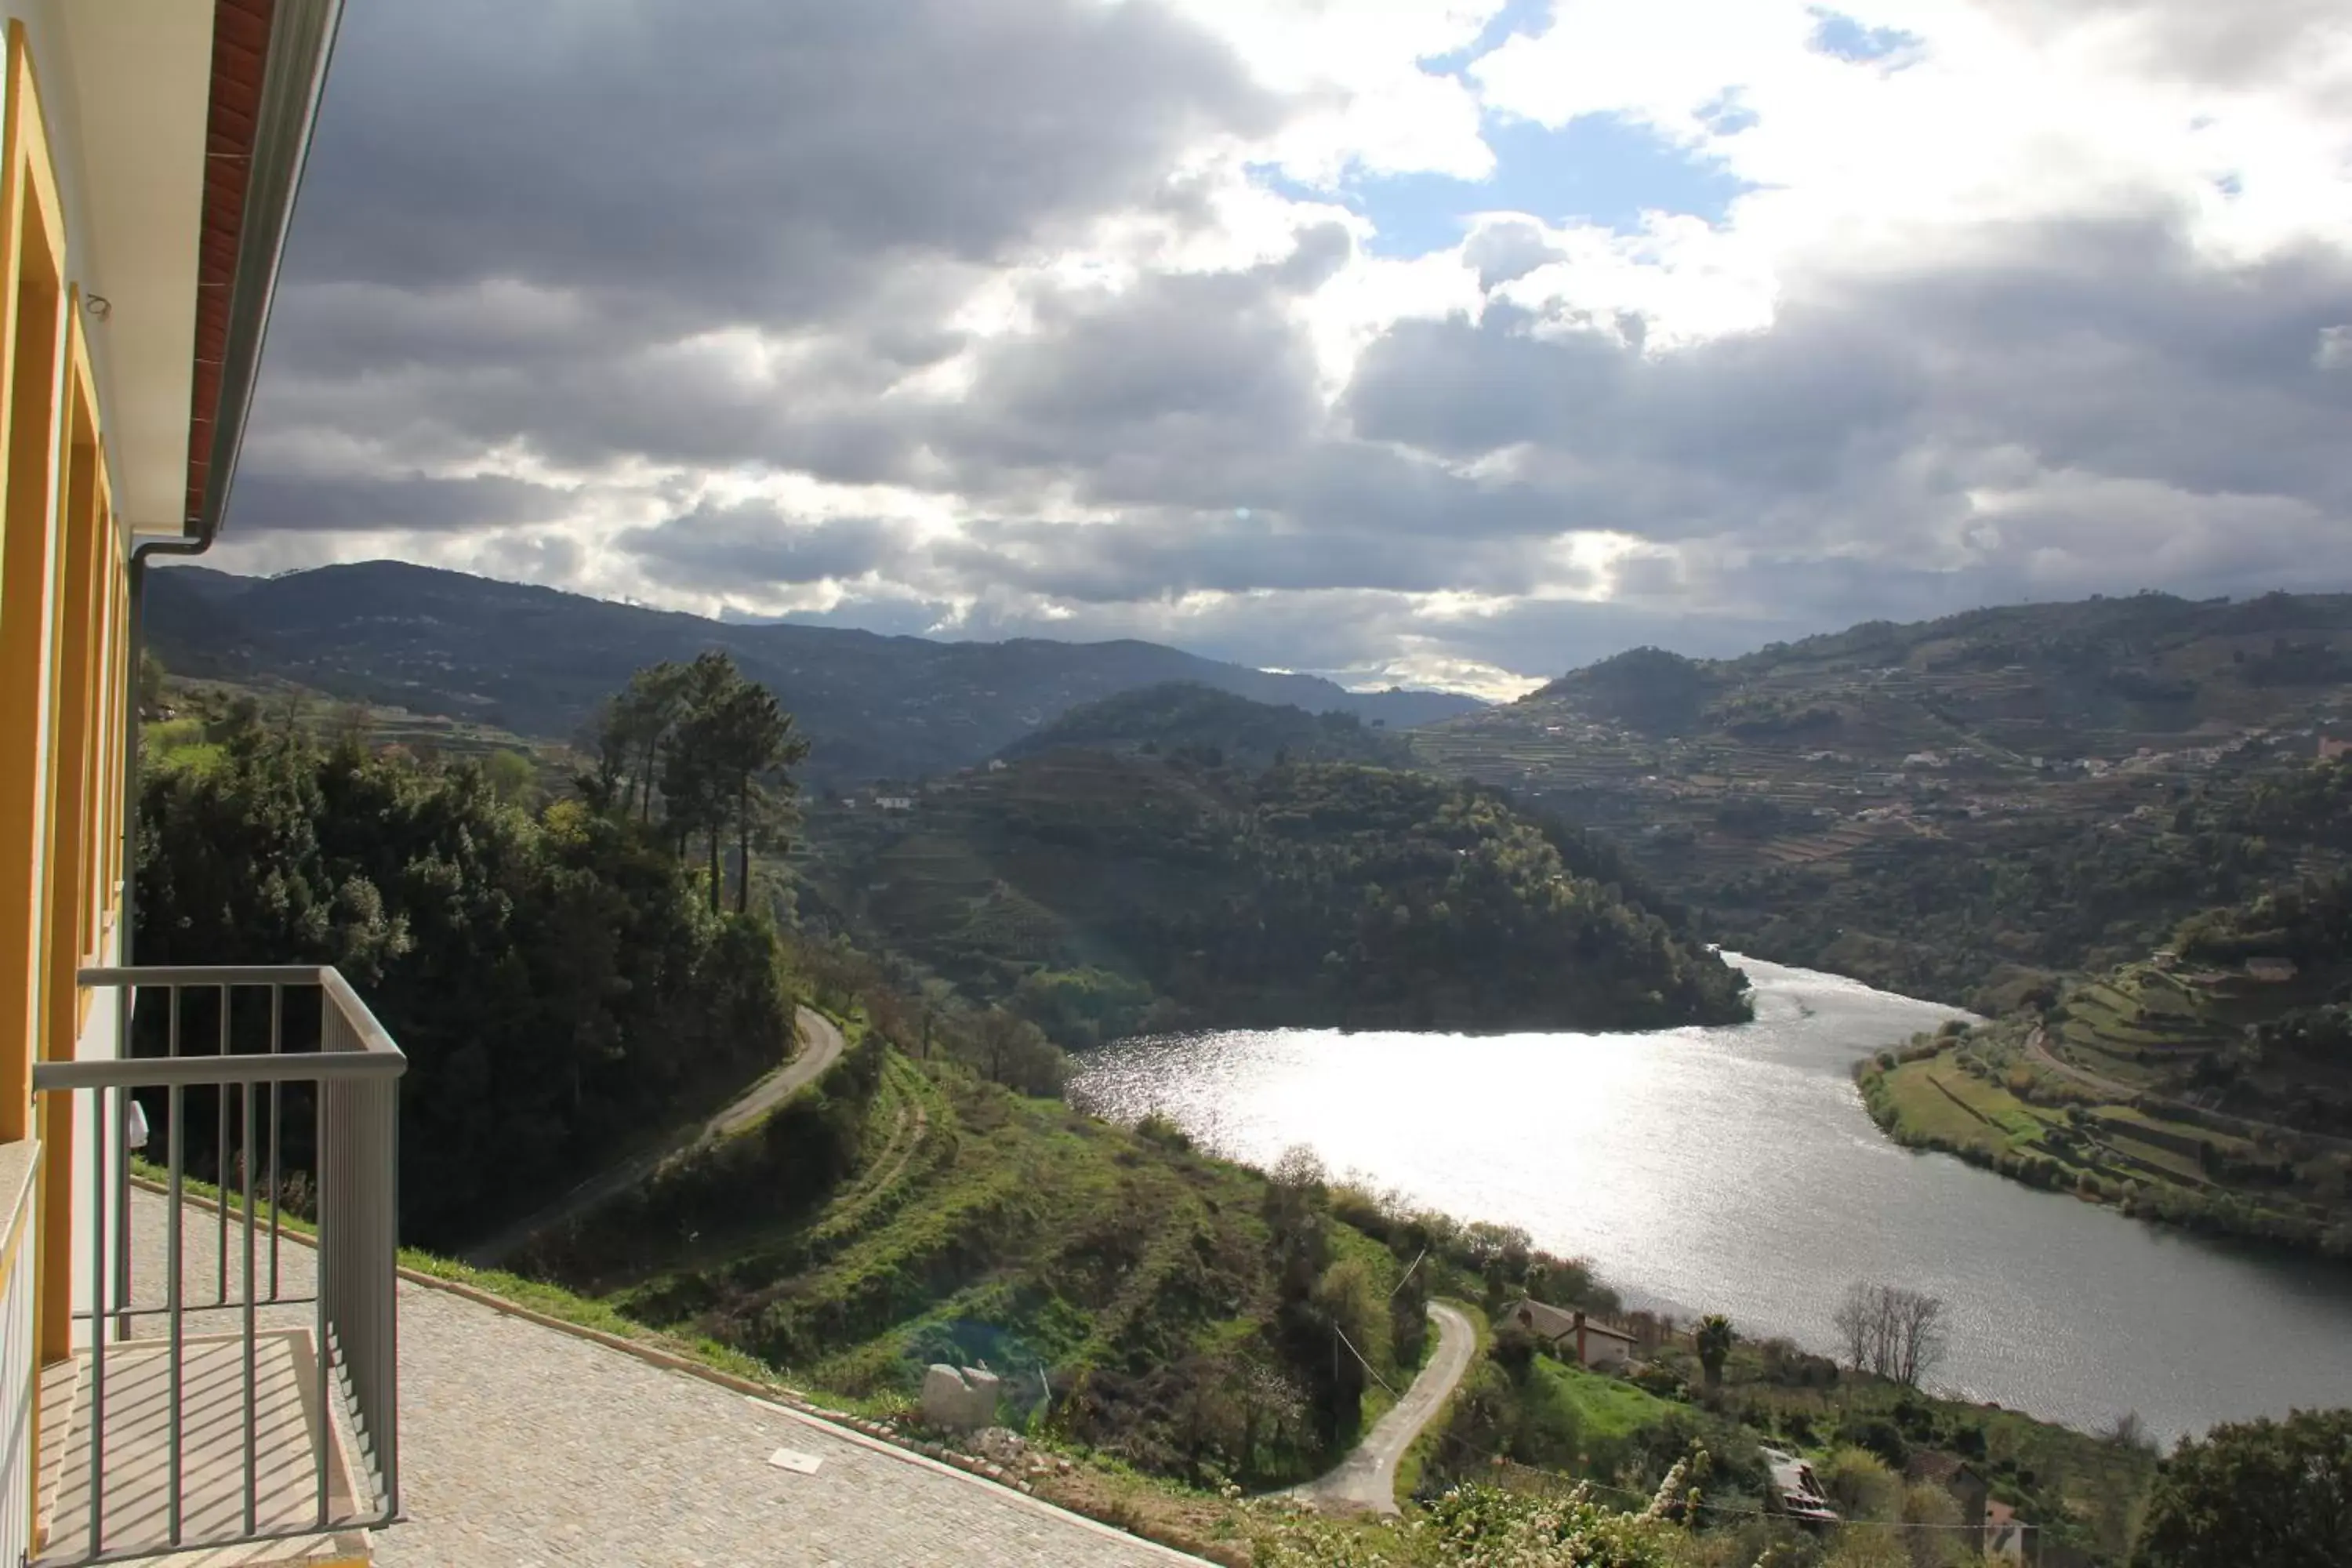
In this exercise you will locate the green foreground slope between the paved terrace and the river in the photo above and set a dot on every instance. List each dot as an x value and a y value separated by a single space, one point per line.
1170 1313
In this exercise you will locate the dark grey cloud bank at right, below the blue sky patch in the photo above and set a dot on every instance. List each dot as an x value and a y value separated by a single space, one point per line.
2094 347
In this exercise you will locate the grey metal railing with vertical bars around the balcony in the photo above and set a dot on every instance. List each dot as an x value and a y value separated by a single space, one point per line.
305 1115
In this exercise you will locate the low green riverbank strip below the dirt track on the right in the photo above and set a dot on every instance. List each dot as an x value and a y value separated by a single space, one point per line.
1996 1099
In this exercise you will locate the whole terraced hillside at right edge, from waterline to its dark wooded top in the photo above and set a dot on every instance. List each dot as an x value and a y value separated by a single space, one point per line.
2210 1085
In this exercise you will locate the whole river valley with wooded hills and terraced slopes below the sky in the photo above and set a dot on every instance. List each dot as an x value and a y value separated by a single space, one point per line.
1344 932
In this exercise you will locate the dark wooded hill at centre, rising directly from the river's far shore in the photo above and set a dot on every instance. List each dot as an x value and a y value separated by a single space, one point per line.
1158 892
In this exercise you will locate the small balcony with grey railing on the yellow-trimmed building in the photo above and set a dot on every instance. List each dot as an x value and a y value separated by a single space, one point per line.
234 1386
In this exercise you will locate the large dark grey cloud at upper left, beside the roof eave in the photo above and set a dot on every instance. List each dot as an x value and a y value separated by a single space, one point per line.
740 161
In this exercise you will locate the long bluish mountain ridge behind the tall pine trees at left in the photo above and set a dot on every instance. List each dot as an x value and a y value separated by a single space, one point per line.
537 662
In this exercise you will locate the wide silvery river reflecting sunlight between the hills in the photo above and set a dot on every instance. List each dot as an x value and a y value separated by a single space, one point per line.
1735 1170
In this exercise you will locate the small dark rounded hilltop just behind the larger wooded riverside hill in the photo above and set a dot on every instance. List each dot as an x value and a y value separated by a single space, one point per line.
1215 728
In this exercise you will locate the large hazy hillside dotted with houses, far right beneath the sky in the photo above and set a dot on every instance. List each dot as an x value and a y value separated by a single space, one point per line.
1960 808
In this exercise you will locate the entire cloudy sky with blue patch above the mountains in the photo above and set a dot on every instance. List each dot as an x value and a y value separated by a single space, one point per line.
1448 342
